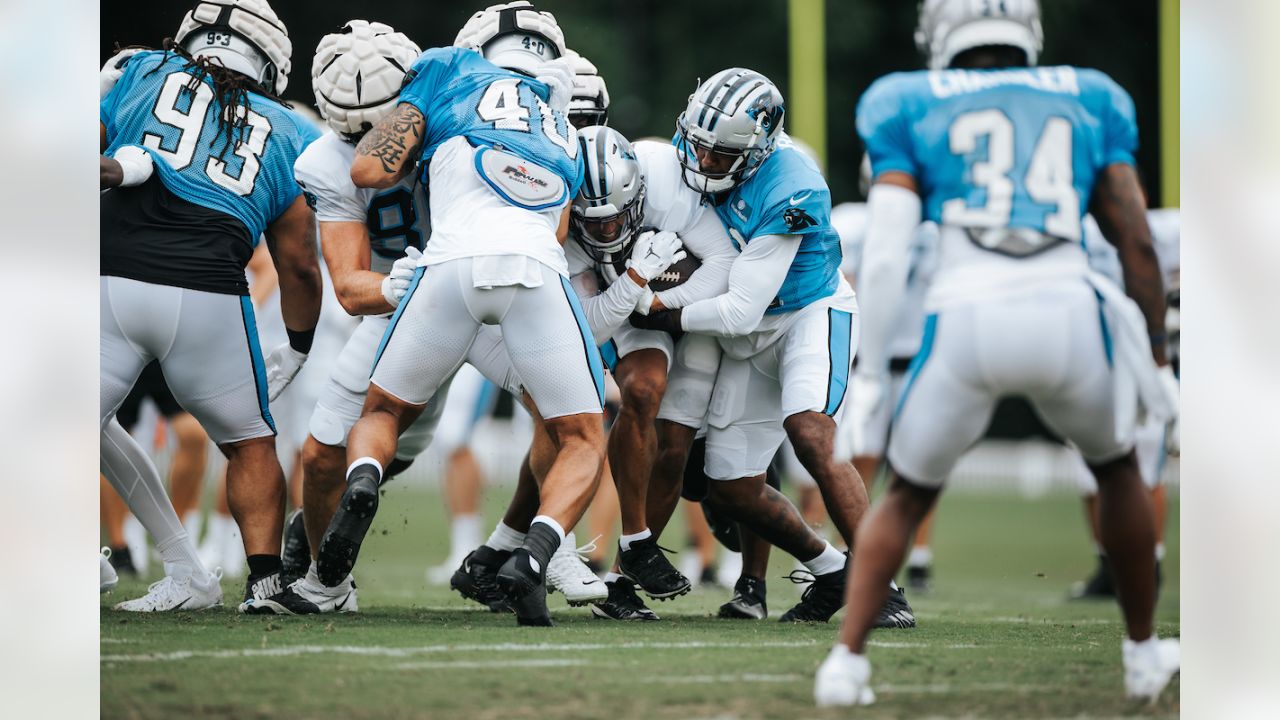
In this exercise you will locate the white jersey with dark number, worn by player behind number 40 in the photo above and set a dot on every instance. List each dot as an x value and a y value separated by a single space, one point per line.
396 217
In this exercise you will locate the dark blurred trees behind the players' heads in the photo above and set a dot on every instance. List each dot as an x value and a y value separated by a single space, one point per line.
652 53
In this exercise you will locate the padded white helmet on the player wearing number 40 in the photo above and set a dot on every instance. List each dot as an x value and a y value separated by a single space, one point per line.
515 37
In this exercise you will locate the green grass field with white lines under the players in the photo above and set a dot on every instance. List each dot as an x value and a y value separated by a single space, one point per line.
998 639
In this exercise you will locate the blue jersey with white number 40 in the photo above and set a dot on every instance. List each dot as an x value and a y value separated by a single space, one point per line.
461 94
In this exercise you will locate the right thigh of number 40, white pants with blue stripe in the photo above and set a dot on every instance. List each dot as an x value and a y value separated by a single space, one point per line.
554 350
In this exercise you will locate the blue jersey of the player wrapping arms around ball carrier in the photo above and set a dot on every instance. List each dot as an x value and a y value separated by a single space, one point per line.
788 195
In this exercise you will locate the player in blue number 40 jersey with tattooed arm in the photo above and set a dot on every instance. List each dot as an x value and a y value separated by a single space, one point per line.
502 165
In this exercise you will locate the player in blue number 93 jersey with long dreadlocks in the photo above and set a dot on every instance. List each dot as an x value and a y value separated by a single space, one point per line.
199 152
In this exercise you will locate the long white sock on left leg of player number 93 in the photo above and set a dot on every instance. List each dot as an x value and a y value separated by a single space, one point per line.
138 481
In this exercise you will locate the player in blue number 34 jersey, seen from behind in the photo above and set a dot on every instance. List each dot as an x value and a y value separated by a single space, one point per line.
1007 158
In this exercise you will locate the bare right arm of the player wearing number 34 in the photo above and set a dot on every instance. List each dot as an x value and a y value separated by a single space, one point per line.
1122 213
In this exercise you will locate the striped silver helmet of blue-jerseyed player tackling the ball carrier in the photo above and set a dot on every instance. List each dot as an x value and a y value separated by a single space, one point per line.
738 116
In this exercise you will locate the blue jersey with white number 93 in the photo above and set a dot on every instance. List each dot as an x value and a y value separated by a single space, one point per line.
250 176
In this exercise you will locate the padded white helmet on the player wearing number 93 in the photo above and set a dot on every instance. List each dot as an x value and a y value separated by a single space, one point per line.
244 35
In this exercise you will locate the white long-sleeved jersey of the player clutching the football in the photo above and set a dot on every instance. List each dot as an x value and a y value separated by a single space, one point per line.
669 206
